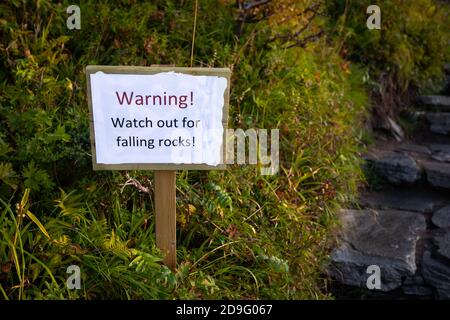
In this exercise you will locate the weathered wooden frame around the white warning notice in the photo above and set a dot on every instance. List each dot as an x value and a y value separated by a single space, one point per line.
220 72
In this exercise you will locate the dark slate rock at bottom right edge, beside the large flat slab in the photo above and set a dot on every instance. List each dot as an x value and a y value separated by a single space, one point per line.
437 273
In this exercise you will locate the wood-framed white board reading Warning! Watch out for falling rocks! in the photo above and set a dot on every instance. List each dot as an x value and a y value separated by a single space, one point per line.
158 117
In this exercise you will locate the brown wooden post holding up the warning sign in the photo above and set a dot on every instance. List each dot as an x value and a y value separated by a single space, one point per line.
165 208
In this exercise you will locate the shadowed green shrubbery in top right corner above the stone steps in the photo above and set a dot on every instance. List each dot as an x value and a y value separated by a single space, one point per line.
406 55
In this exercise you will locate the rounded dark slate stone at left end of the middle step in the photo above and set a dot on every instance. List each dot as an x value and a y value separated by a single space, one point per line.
396 167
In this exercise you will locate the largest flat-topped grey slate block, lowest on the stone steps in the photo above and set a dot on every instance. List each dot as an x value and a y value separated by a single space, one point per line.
383 238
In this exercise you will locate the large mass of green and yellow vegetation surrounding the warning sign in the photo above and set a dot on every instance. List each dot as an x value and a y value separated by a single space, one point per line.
240 234
